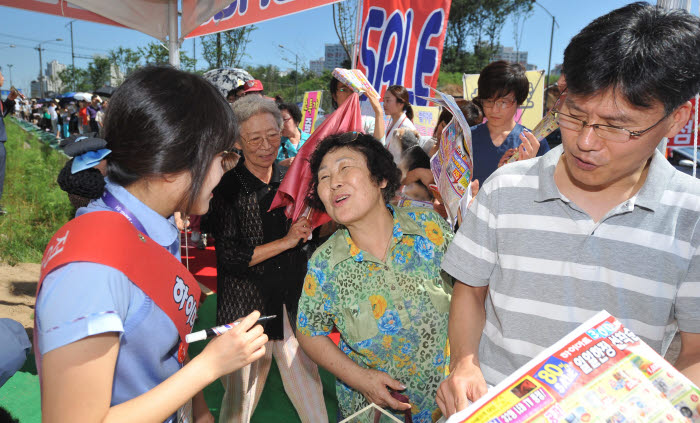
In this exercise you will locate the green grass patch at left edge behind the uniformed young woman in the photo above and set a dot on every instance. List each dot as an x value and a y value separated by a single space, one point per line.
36 205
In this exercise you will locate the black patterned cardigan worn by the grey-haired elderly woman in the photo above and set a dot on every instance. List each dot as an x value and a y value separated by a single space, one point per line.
240 221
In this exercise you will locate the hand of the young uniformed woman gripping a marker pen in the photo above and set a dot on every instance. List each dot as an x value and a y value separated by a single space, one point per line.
240 346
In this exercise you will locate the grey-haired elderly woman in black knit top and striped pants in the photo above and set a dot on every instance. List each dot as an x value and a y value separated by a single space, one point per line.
260 265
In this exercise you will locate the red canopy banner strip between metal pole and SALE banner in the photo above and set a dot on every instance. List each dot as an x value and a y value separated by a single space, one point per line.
246 12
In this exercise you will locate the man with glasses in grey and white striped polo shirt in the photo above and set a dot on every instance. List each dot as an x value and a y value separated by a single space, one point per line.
602 222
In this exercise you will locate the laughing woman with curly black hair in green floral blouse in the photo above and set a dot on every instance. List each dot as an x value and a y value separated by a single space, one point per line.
378 281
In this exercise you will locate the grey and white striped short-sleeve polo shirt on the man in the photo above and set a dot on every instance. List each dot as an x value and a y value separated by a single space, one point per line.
549 266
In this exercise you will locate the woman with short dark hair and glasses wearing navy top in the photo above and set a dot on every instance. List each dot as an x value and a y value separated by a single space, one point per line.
502 88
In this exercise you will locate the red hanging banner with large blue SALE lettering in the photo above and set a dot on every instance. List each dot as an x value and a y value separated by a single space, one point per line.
401 44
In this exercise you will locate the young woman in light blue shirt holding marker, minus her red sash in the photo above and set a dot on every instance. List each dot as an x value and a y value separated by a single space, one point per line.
108 352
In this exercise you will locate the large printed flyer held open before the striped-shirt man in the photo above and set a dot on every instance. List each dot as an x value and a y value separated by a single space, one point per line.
600 372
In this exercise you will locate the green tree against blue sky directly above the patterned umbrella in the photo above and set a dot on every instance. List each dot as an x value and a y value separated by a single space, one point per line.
226 49
